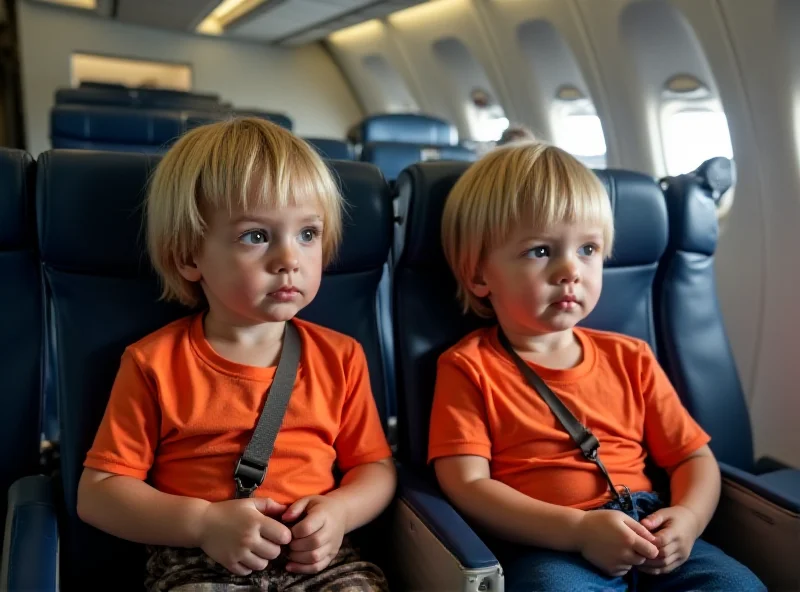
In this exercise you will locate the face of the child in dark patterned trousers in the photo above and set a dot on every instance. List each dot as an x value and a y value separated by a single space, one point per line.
260 266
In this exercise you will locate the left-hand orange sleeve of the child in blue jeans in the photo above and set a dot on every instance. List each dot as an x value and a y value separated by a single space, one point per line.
458 417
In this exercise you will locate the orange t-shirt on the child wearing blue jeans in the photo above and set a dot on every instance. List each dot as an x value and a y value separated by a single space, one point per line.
483 406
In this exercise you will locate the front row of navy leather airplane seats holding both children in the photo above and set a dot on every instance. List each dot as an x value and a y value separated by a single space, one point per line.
76 288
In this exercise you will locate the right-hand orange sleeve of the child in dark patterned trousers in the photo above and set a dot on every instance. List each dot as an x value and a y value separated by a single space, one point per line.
361 438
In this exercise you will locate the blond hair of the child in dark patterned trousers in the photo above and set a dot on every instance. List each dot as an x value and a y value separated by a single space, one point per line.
245 162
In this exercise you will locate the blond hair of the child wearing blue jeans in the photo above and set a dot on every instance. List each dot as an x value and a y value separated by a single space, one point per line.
529 183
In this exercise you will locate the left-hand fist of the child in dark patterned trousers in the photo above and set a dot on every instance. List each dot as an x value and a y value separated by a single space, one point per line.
241 536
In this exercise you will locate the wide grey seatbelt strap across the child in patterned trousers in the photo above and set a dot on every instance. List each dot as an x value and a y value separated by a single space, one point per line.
251 469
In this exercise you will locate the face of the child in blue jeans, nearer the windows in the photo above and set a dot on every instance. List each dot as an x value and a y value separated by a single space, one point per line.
544 282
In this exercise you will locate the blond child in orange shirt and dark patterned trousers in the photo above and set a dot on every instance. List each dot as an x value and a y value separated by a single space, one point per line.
241 218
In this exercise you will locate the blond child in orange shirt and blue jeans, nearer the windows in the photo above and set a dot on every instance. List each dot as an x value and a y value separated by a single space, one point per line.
525 231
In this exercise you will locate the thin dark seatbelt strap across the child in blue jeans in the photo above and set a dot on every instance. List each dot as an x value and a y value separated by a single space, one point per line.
581 435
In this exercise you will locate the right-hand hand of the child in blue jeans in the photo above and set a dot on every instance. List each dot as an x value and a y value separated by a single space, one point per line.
676 529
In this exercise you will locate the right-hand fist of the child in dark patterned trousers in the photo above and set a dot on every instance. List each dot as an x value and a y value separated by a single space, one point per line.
318 536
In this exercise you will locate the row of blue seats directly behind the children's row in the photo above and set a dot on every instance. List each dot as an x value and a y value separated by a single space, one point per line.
390 141
